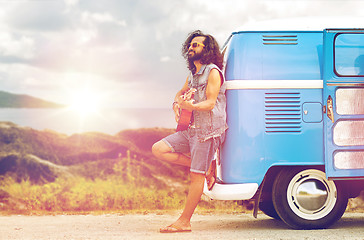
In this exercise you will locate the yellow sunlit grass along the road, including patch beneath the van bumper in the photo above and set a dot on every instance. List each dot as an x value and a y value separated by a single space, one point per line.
125 190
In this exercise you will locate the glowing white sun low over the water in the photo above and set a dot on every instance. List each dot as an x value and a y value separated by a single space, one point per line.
85 102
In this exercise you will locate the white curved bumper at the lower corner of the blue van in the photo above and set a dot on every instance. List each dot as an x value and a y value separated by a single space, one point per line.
242 191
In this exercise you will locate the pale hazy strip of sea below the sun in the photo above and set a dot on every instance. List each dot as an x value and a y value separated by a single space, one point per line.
109 121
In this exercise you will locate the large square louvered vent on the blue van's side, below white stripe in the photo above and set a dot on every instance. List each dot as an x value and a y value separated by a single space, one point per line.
283 112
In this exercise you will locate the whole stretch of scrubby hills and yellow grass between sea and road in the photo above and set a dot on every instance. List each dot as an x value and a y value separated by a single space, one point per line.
50 171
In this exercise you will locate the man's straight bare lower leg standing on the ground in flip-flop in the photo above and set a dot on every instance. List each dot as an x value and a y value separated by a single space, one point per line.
193 197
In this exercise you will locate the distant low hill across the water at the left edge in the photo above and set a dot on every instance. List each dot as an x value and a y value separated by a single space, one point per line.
9 100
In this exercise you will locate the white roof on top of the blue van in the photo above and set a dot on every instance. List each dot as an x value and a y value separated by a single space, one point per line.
303 24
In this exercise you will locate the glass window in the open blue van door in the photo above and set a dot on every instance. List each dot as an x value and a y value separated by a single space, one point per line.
349 54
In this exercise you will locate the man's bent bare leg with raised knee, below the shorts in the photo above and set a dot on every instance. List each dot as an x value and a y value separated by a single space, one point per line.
162 151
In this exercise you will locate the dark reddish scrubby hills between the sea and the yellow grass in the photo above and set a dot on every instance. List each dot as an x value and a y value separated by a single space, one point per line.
40 156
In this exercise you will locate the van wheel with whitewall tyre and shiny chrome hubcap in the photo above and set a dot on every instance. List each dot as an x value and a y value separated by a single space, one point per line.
305 199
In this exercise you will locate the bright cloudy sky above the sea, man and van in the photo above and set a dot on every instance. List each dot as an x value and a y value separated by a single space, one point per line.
124 53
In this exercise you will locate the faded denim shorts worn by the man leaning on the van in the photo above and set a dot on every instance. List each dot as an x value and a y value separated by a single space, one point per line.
202 153
